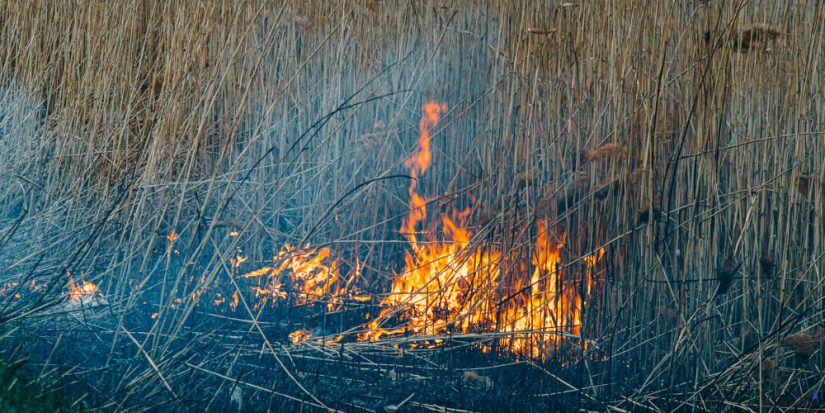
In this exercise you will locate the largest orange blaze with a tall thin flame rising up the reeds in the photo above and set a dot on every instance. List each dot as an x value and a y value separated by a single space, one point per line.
448 287
